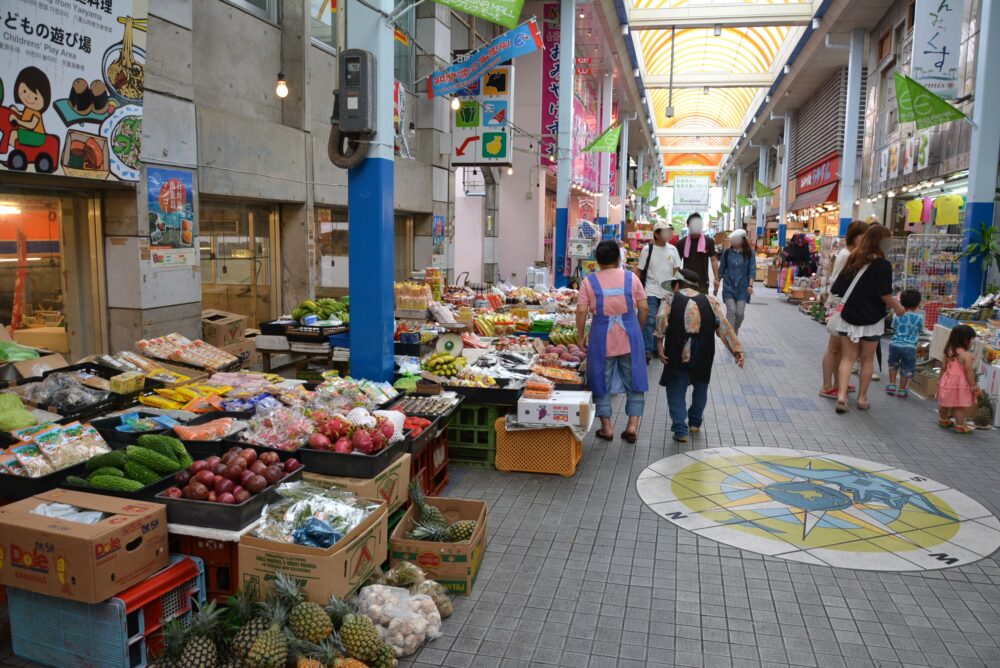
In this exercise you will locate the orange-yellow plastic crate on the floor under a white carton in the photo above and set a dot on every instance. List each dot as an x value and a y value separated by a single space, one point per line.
537 450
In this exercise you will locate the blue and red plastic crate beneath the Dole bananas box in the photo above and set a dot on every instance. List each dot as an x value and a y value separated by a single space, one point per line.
122 632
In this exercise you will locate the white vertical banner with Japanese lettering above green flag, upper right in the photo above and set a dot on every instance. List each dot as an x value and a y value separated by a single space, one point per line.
937 43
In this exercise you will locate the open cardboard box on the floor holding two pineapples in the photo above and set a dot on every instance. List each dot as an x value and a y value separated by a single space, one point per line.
455 565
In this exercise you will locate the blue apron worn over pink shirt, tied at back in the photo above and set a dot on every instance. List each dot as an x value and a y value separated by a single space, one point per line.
597 352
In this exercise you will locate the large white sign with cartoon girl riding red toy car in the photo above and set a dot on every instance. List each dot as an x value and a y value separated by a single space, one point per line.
71 87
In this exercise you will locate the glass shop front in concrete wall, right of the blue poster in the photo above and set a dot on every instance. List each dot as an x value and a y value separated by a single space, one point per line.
238 243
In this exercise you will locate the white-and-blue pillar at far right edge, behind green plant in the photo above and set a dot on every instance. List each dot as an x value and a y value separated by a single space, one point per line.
980 204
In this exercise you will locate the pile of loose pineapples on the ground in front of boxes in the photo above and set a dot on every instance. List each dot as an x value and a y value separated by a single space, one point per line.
283 630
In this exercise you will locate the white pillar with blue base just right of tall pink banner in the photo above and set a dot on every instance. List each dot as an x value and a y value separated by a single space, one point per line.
564 174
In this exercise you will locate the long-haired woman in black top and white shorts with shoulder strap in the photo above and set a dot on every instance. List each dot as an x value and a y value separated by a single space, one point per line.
863 317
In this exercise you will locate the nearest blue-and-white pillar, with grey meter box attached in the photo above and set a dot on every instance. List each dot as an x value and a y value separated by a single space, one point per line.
370 209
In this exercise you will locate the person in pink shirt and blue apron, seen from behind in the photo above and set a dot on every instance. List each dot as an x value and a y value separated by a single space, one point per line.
617 302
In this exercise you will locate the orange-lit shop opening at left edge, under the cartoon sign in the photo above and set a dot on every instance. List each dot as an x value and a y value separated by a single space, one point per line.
52 291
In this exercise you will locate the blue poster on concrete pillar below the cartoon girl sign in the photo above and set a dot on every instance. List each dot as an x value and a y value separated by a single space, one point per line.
172 227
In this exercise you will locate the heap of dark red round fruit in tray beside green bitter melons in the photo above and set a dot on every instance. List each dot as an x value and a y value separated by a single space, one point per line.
230 479
